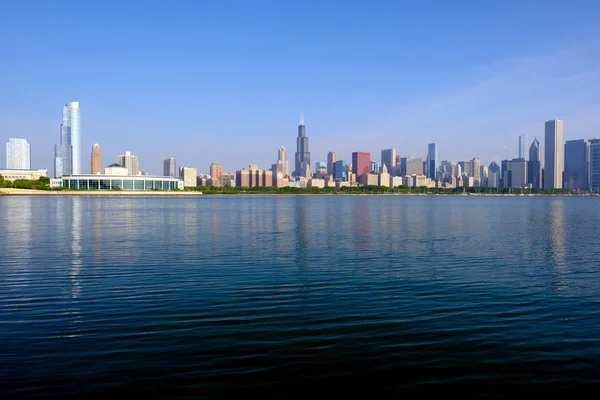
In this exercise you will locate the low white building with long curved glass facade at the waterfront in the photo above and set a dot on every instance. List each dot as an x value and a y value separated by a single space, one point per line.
114 182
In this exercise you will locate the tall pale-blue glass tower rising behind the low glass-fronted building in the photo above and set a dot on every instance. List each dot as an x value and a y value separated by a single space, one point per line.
67 154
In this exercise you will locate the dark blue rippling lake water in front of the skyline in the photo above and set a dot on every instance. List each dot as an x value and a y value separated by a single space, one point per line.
282 295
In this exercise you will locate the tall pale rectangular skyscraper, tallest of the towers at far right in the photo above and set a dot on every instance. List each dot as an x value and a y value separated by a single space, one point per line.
553 154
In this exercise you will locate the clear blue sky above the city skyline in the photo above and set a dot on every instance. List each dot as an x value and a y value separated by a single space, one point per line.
226 81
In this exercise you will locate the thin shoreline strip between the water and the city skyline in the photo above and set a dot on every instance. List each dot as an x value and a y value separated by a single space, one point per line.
96 193
